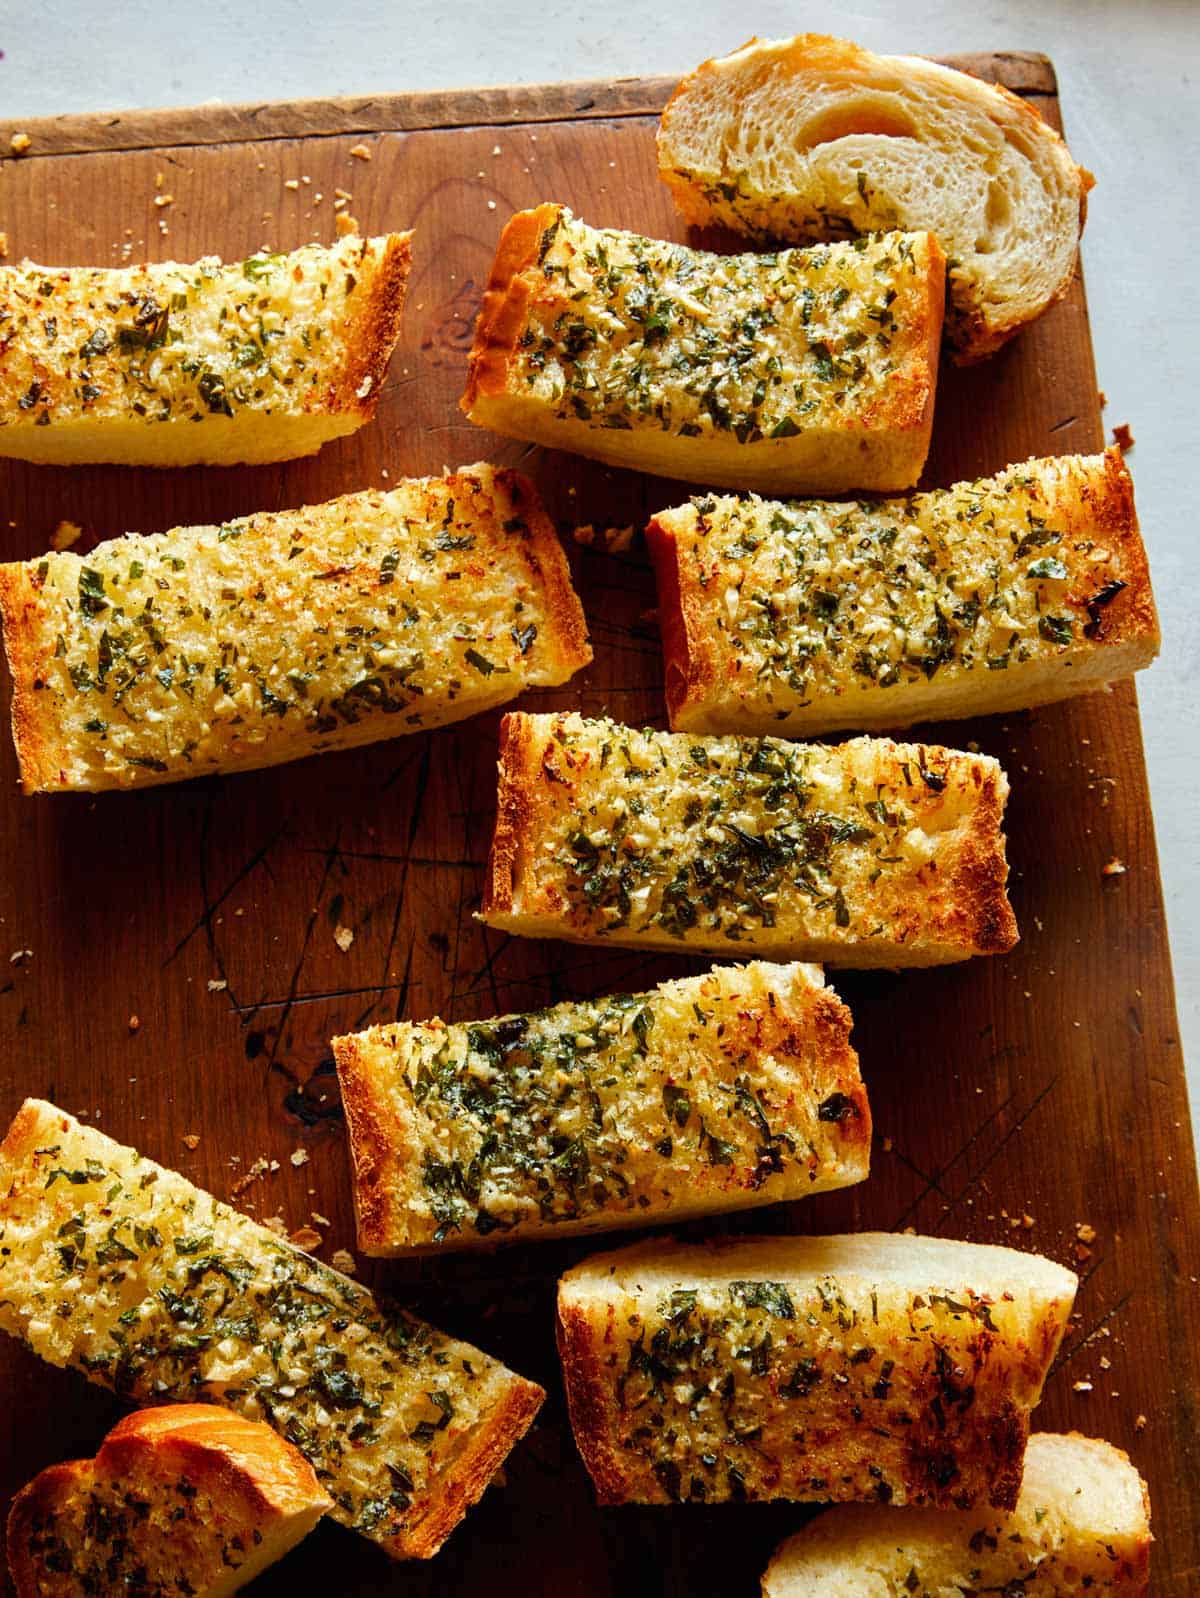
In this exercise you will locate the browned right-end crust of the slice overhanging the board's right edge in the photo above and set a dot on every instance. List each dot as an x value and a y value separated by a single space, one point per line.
1130 619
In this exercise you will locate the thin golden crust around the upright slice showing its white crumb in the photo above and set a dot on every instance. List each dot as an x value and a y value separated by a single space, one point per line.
971 340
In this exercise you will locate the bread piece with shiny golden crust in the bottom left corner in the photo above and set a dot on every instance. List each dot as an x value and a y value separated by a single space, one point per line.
186 1500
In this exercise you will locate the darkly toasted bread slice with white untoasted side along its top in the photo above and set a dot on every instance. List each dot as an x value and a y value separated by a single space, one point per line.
873 1367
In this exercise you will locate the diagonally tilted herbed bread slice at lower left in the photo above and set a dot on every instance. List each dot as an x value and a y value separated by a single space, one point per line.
122 1270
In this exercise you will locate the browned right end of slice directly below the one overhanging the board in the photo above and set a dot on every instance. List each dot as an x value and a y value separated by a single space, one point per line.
985 921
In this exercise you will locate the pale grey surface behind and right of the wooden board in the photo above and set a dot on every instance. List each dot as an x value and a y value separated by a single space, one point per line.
1127 74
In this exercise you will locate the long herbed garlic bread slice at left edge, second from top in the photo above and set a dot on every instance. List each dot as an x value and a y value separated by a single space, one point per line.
220 650
